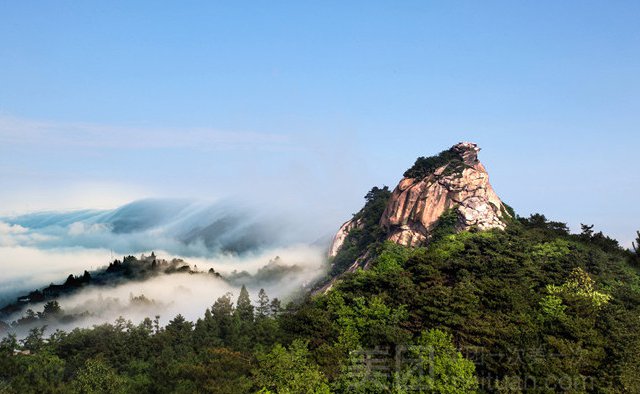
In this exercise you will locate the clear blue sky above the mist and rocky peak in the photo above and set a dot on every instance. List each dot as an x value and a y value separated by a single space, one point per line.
307 105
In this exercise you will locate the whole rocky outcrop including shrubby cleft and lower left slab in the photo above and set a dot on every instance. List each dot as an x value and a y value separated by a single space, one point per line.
453 182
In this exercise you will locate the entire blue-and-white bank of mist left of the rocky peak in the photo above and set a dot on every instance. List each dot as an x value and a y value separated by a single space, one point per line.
276 251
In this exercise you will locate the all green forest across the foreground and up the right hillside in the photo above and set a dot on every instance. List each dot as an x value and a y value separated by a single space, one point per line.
532 308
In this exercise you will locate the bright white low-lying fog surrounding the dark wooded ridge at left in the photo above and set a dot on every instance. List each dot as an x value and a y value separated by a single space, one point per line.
186 294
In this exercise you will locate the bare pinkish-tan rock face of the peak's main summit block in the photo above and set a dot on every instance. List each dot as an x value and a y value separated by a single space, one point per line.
461 183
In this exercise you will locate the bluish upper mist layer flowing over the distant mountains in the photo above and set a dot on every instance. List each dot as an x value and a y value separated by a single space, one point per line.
180 227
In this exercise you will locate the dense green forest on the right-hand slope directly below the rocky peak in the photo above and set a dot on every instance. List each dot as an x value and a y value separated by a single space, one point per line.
534 307
